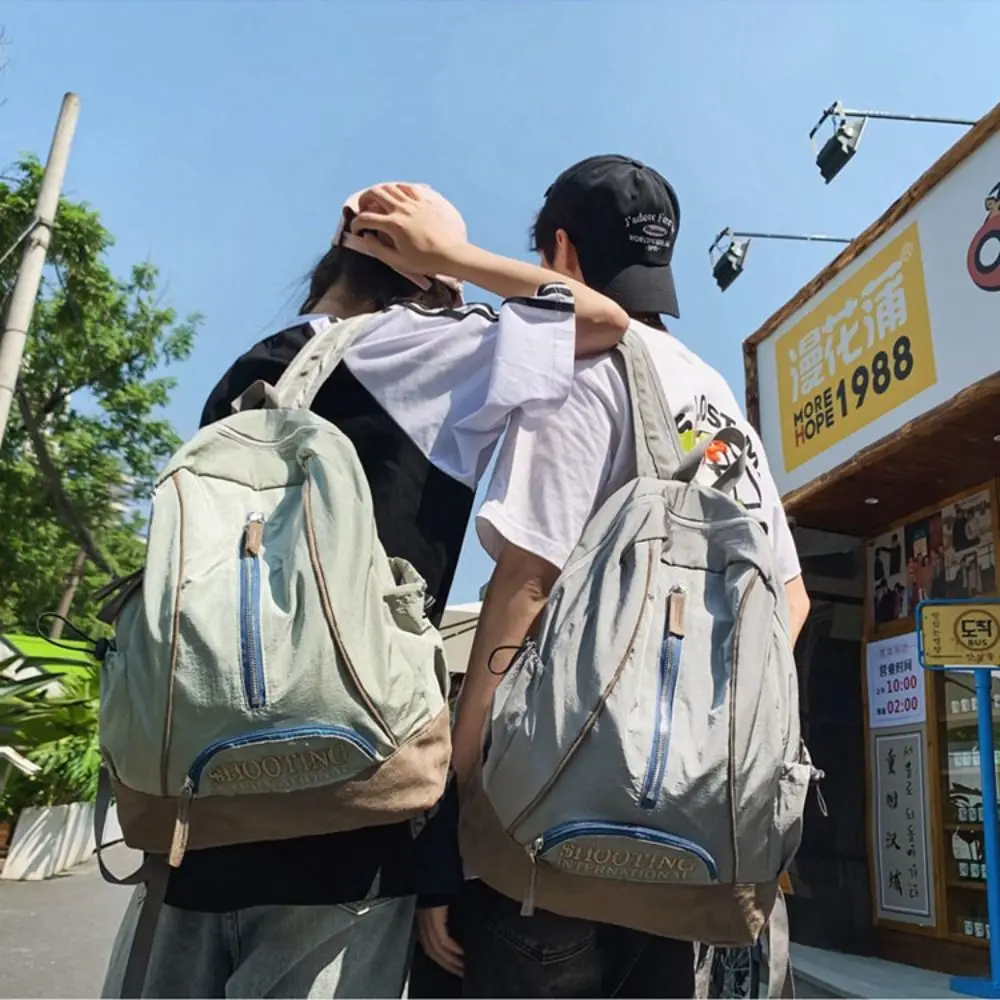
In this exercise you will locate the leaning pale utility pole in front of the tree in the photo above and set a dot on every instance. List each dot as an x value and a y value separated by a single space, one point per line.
22 297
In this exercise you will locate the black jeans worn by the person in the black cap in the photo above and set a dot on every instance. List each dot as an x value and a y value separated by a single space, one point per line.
547 955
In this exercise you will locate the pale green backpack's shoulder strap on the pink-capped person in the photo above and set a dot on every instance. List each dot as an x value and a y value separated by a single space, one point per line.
308 370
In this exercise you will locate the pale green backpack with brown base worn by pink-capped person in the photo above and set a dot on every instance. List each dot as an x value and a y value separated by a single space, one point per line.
273 673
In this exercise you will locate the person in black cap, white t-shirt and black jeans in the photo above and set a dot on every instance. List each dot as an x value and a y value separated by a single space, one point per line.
613 223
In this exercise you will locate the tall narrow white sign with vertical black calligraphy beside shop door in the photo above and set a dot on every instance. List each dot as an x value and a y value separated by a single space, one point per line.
901 836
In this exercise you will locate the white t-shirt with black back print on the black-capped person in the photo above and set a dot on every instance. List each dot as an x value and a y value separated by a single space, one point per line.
555 470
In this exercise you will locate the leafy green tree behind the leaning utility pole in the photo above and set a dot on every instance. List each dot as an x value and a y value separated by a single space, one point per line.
87 435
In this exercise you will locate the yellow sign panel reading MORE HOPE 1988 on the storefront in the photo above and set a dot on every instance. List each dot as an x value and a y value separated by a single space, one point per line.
862 352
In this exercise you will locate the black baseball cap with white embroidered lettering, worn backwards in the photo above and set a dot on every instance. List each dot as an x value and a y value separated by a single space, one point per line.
623 218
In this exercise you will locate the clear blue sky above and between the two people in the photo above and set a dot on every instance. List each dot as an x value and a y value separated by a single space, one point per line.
218 138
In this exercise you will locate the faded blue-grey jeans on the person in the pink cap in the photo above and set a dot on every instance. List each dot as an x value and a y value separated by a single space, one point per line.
340 950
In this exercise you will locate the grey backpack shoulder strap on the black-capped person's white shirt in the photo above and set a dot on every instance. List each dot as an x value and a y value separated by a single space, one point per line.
658 450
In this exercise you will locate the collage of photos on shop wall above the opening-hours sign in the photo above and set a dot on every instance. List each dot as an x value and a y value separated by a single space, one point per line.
948 554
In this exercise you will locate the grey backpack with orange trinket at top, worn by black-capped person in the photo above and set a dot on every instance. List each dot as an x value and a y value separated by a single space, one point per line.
643 763
